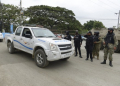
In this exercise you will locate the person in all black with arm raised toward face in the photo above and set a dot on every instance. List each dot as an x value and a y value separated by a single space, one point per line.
89 45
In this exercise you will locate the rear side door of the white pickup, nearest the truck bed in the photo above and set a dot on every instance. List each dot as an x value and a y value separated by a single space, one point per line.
16 38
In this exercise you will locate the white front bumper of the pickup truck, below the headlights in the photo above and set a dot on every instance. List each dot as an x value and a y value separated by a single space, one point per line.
56 55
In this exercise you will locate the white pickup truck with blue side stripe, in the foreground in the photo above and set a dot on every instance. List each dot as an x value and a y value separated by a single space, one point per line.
41 43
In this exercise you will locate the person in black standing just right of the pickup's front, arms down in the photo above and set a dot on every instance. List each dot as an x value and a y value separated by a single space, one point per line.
77 43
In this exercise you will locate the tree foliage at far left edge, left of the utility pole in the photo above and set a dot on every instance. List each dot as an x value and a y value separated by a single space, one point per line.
9 15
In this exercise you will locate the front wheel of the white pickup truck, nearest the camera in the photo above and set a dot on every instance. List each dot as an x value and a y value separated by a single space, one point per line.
40 58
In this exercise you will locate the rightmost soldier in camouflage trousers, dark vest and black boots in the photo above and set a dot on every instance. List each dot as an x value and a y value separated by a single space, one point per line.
110 44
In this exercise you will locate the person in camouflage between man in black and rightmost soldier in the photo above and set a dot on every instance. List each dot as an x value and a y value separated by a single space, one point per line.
97 44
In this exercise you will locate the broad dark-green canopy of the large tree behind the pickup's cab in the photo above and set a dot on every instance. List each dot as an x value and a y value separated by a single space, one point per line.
53 17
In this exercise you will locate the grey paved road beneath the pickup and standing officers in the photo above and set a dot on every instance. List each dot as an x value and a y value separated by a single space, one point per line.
19 69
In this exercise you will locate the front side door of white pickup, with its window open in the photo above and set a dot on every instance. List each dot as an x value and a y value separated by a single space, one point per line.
27 40
